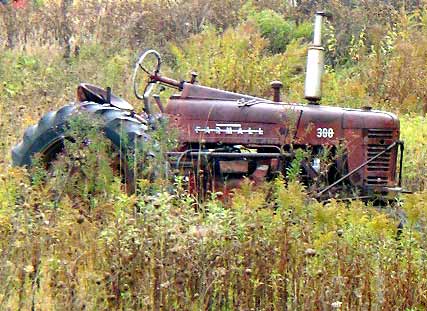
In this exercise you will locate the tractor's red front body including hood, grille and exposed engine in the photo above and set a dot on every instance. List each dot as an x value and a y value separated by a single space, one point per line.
243 136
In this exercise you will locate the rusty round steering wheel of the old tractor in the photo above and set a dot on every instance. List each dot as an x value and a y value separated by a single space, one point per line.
150 82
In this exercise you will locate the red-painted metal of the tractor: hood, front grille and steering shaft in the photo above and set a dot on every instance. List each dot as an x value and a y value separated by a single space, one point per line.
207 116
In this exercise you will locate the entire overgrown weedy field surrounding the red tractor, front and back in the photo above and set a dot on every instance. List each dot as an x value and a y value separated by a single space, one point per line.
85 244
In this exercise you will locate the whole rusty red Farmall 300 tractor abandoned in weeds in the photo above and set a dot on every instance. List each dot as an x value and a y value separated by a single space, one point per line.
225 138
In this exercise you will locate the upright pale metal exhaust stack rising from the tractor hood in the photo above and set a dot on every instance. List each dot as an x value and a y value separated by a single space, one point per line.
315 62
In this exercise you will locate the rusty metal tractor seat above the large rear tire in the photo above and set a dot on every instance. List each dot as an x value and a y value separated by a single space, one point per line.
90 92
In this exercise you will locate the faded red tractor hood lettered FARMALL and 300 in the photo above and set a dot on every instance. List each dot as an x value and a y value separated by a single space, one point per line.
212 115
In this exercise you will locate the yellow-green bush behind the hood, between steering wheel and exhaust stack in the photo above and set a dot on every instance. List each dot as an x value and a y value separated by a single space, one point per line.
238 61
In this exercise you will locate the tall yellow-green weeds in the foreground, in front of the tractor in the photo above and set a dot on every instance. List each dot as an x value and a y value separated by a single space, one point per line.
262 252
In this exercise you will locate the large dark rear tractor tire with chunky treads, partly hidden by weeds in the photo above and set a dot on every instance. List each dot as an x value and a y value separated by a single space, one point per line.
46 138
